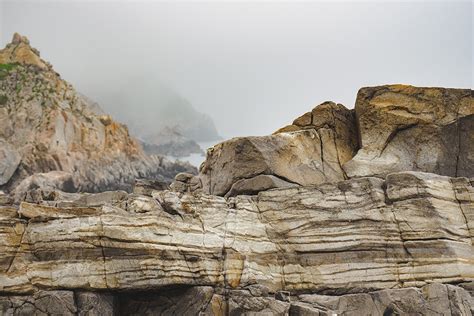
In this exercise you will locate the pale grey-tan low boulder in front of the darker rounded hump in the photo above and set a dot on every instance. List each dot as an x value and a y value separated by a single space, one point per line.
295 157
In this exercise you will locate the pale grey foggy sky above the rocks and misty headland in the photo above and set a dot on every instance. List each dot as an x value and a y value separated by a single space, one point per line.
252 66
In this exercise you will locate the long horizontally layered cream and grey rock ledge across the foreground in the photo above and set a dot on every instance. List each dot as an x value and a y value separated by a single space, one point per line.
354 236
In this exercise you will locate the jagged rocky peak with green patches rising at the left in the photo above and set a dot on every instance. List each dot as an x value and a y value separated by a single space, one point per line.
50 133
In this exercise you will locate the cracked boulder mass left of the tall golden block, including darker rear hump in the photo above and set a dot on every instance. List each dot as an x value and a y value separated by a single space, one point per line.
310 151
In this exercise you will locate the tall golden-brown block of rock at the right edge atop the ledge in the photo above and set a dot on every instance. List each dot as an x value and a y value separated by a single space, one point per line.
410 128
